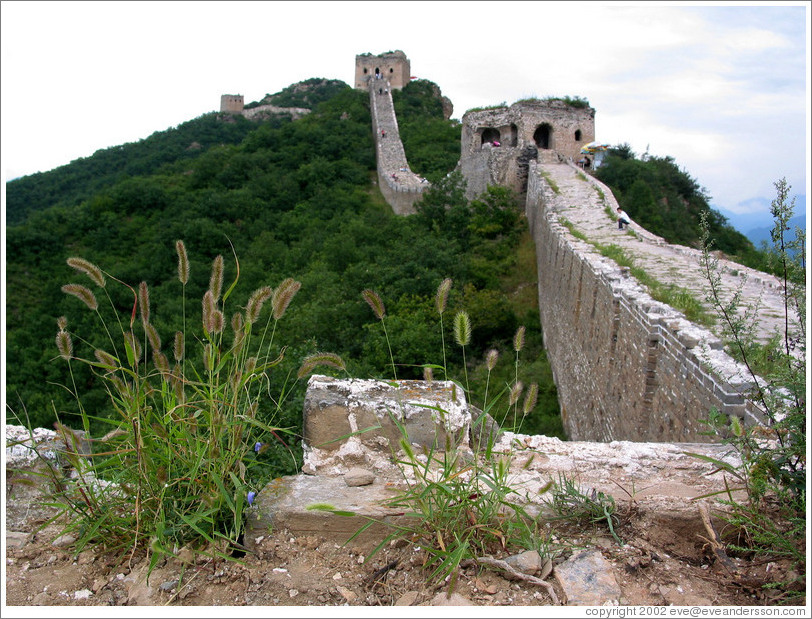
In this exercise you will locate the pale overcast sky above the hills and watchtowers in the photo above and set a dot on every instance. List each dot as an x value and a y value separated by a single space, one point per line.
722 89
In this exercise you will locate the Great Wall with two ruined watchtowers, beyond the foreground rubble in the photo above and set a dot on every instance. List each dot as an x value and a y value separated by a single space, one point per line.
626 366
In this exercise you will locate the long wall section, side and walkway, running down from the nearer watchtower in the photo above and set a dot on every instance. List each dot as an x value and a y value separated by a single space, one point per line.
628 367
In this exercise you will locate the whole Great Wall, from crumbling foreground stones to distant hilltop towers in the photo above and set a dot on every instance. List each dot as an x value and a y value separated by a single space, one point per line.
635 378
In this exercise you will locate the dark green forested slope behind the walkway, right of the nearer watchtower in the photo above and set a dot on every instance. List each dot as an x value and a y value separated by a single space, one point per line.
666 200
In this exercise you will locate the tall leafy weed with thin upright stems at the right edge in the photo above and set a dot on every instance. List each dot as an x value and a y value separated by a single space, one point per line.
772 456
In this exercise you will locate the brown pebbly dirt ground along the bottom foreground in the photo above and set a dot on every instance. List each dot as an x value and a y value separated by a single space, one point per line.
657 565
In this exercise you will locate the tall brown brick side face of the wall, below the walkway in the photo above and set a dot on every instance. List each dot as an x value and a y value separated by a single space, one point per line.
626 367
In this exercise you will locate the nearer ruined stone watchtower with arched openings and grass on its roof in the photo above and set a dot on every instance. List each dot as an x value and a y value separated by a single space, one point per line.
498 143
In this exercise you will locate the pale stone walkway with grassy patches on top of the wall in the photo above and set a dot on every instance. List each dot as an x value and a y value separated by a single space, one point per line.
583 201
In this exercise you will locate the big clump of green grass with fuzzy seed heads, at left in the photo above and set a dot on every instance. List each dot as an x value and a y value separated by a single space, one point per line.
178 464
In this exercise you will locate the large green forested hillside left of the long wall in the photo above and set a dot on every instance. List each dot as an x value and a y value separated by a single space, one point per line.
286 199
